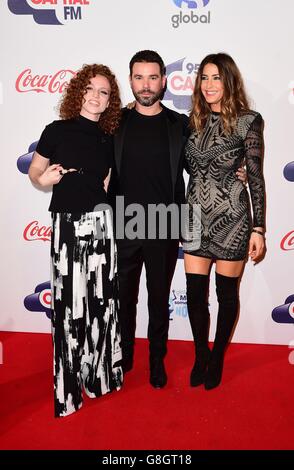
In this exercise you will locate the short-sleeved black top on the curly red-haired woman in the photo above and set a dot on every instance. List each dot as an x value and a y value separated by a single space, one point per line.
77 143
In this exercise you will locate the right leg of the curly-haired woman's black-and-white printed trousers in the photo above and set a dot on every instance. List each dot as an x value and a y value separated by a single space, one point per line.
101 358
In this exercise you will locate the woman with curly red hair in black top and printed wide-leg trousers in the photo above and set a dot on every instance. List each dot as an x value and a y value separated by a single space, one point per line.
74 155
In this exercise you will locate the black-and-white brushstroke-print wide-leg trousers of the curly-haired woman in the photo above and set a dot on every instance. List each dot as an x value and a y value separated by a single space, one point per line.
86 336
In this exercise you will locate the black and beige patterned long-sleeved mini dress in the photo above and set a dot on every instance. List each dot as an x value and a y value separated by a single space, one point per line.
213 159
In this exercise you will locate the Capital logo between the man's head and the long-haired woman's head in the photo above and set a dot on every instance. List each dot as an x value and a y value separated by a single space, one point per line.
180 83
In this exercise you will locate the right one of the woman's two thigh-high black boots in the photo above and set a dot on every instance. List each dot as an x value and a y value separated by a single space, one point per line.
227 295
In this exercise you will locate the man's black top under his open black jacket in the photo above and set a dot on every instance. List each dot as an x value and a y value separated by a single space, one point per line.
146 174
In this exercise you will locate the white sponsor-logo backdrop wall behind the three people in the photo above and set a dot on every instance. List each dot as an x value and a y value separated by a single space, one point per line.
43 43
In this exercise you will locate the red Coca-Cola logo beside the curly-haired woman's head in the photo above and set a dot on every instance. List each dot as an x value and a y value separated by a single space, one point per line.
27 81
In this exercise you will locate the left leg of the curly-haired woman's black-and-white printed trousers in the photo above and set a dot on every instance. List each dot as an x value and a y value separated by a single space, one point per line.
67 332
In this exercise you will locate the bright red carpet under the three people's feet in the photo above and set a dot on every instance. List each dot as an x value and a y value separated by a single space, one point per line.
252 409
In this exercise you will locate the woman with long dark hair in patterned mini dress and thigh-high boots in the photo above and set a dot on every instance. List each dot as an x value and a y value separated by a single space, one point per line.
224 133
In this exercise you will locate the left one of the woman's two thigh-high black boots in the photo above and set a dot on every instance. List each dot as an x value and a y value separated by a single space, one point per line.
197 304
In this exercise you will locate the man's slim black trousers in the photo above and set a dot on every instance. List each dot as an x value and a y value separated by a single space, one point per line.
159 258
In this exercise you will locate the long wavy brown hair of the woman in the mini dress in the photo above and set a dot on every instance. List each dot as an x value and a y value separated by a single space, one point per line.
234 101
